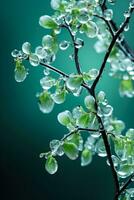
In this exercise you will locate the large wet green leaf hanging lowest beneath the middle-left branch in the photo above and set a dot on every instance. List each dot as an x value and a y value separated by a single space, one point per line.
46 103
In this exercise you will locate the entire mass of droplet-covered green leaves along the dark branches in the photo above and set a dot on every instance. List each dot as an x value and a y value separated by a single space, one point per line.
83 17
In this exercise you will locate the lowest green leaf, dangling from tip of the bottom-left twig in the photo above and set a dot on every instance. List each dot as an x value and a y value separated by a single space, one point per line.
51 165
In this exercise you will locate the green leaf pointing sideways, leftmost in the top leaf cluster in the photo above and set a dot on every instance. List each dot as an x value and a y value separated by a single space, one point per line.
47 22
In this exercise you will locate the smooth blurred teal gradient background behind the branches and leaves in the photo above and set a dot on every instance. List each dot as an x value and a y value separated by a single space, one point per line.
25 131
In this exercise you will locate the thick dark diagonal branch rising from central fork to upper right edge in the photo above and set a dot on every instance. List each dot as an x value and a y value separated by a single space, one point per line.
110 49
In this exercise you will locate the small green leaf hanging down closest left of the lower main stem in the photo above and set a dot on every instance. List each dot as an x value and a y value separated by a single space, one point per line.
86 157
